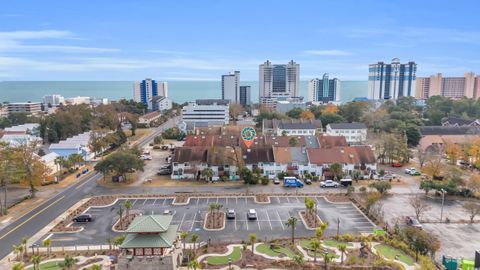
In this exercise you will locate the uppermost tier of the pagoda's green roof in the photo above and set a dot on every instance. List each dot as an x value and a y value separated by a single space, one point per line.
150 224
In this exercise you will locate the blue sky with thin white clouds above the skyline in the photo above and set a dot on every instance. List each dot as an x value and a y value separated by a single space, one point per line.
184 40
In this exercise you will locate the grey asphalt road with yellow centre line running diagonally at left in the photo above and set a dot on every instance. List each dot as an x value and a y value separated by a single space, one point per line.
38 218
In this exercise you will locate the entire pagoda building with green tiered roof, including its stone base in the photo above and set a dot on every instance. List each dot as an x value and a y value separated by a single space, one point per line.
151 243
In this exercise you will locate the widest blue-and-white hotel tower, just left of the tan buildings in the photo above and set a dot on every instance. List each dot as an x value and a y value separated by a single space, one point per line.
391 81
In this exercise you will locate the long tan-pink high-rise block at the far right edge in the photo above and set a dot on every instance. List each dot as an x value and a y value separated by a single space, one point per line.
451 87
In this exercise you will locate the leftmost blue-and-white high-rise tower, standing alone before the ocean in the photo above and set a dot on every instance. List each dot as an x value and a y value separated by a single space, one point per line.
144 91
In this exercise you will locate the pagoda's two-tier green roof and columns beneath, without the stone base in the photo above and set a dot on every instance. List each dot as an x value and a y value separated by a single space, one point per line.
149 235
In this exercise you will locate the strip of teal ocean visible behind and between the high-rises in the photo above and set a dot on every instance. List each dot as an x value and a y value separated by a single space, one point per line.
179 91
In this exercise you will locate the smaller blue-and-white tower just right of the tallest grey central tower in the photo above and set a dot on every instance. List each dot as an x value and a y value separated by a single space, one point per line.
324 90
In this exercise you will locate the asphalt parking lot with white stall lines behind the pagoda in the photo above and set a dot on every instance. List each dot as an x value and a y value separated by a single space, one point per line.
270 223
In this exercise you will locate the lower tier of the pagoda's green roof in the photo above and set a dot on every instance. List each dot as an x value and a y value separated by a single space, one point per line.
161 240
